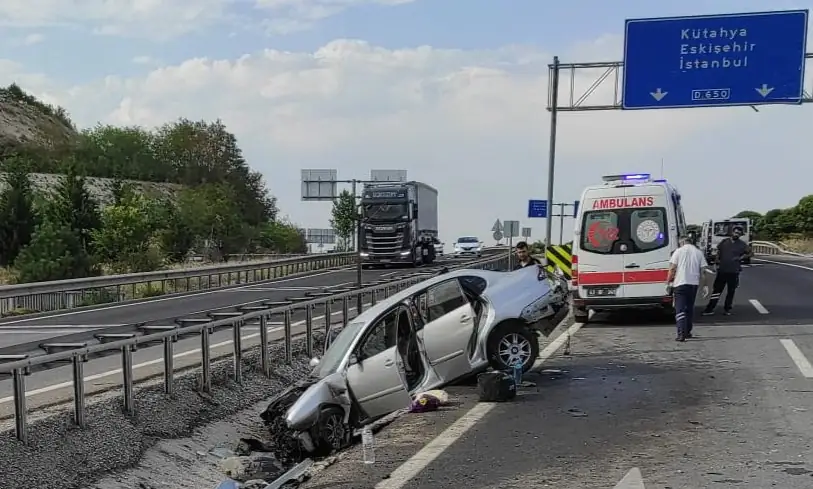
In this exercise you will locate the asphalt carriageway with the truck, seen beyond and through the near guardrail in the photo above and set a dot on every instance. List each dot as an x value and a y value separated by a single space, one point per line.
48 386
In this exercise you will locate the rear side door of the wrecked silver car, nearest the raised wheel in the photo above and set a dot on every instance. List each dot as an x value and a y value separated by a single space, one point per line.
449 322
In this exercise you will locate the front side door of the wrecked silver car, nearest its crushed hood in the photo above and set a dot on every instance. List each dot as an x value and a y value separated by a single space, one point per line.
375 374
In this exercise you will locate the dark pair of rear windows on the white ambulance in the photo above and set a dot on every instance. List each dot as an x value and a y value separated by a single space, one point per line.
624 230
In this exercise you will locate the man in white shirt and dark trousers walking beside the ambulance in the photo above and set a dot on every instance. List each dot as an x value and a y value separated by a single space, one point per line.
687 264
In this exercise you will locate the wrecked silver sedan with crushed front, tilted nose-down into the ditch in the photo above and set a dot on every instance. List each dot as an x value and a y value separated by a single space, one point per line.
421 338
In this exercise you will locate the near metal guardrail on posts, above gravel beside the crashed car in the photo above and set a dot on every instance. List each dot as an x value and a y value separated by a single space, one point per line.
19 366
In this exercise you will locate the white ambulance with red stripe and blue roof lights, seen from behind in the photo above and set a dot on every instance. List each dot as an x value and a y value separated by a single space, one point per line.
626 230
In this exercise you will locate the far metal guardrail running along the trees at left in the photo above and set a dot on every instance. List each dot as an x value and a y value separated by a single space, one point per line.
67 294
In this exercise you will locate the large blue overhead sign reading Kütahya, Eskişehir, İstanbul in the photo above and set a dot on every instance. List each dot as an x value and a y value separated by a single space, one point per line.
715 60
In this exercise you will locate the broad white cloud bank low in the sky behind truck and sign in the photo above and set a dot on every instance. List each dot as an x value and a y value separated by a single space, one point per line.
472 123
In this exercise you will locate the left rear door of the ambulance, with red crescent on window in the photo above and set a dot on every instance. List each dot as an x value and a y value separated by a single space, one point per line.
600 259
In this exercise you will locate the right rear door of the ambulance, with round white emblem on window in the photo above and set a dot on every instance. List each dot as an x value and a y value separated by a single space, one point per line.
649 235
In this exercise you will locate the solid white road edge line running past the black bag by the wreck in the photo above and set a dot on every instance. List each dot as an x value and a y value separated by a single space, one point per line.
401 476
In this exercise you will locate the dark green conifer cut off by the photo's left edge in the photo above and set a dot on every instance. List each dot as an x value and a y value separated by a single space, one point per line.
17 217
